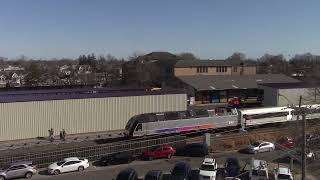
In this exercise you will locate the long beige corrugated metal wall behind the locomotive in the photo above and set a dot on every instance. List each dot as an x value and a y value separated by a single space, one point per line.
22 120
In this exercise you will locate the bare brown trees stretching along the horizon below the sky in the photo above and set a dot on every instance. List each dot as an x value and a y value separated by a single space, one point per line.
103 69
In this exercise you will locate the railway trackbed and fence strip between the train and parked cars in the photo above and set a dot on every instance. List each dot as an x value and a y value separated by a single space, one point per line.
188 137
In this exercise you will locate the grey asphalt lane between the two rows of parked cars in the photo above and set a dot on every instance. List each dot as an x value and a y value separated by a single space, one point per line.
110 172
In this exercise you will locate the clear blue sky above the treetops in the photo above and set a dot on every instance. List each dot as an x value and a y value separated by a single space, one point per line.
208 28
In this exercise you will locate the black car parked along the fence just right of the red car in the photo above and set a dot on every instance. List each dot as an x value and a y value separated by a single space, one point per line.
194 150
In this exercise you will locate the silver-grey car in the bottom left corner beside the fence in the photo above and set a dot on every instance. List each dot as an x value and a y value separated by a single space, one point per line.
18 170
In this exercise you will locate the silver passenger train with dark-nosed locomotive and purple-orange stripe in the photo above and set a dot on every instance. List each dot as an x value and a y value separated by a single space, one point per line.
202 119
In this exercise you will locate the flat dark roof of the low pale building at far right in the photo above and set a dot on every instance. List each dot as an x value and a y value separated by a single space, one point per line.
290 85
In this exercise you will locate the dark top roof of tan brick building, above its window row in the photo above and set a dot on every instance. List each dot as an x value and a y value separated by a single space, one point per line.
198 63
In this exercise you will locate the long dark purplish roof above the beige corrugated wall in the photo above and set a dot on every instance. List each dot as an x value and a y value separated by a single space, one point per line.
85 93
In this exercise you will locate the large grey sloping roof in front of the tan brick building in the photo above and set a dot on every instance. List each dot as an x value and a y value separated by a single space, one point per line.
222 82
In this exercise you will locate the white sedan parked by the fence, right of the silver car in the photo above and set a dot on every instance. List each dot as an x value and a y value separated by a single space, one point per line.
68 165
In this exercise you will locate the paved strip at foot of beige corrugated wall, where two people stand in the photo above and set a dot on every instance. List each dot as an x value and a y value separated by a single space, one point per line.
15 144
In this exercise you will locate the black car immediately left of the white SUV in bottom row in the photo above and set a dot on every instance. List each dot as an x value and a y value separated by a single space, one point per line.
181 171
